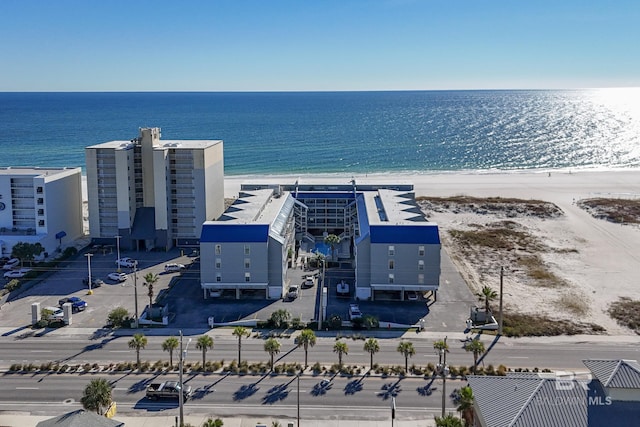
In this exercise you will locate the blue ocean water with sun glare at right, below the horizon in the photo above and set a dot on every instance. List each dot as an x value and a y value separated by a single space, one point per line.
340 132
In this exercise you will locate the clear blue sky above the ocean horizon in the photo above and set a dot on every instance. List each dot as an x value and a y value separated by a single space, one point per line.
302 45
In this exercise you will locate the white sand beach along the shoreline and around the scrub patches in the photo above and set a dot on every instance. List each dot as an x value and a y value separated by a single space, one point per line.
602 268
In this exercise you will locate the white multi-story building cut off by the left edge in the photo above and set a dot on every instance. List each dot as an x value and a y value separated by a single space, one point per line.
40 205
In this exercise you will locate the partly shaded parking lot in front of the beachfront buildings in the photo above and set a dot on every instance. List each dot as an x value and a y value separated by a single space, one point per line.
188 309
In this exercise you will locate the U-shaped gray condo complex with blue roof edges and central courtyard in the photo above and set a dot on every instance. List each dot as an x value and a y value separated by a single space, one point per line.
385 239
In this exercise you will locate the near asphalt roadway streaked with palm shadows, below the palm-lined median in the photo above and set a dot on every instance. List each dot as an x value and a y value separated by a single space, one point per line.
358 397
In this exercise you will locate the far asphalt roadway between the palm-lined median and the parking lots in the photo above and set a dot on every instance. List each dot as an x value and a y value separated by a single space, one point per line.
510 352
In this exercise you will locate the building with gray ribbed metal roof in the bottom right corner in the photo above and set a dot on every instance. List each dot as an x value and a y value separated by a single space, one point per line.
607 395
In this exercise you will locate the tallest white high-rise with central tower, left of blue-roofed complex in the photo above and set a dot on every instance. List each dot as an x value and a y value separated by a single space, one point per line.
152 193
